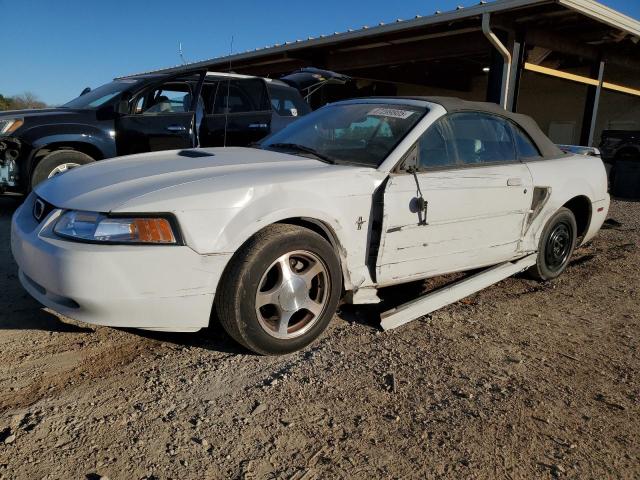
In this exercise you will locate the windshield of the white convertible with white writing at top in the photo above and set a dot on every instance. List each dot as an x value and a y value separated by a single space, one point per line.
360 133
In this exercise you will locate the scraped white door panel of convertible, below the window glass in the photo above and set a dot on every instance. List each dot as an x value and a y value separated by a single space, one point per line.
474 219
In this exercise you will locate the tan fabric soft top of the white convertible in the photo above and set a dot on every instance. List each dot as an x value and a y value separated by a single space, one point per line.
451 104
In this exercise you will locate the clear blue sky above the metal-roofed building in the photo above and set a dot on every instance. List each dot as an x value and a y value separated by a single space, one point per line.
54 48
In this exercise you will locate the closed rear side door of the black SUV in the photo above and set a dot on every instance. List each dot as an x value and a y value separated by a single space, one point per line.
239 113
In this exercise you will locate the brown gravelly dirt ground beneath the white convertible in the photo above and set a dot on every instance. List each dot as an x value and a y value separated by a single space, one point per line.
522 380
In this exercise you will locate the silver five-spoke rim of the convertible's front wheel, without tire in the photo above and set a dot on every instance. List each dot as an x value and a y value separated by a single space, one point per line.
292 294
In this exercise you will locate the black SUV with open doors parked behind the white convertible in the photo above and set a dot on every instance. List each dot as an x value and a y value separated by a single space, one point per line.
143 113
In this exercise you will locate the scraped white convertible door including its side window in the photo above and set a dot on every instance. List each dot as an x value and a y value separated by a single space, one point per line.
476 198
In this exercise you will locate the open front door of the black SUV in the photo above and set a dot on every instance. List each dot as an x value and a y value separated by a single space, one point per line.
161 117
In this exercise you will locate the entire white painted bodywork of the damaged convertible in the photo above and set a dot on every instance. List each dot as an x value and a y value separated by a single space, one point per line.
476 217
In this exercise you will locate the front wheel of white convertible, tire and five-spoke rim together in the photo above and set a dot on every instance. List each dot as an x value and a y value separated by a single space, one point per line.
254 300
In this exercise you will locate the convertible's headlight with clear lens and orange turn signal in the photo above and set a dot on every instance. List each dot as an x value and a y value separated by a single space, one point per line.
97 227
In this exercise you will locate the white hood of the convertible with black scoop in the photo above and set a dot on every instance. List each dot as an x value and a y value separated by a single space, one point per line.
126 182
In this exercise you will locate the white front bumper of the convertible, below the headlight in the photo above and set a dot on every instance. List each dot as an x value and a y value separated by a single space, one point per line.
153 287
